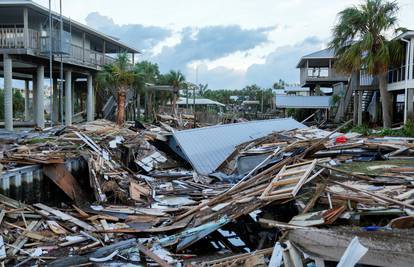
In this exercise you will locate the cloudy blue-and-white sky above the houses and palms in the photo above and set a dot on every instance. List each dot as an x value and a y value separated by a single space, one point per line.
226 44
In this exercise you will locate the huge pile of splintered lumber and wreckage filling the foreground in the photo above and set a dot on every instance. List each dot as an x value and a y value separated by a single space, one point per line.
288 195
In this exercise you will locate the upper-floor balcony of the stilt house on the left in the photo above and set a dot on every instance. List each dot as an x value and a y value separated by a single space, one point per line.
14 38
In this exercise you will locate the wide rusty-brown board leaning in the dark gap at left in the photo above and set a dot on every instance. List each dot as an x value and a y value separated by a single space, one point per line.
65 181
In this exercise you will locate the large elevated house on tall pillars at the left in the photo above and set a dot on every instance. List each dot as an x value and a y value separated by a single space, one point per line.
26 43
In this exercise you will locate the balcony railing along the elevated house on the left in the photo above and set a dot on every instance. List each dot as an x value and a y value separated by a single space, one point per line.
14 38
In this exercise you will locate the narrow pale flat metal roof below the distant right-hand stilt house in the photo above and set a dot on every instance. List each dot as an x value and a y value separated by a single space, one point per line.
312 102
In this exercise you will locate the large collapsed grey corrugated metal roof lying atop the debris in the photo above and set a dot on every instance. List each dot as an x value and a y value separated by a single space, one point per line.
206 148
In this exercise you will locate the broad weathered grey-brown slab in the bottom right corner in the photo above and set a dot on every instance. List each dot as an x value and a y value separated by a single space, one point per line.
392 249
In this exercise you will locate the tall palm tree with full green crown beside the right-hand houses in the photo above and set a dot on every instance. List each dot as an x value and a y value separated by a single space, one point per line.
359 41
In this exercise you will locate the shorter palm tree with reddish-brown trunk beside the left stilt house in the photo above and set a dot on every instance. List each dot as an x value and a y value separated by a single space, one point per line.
120 78
